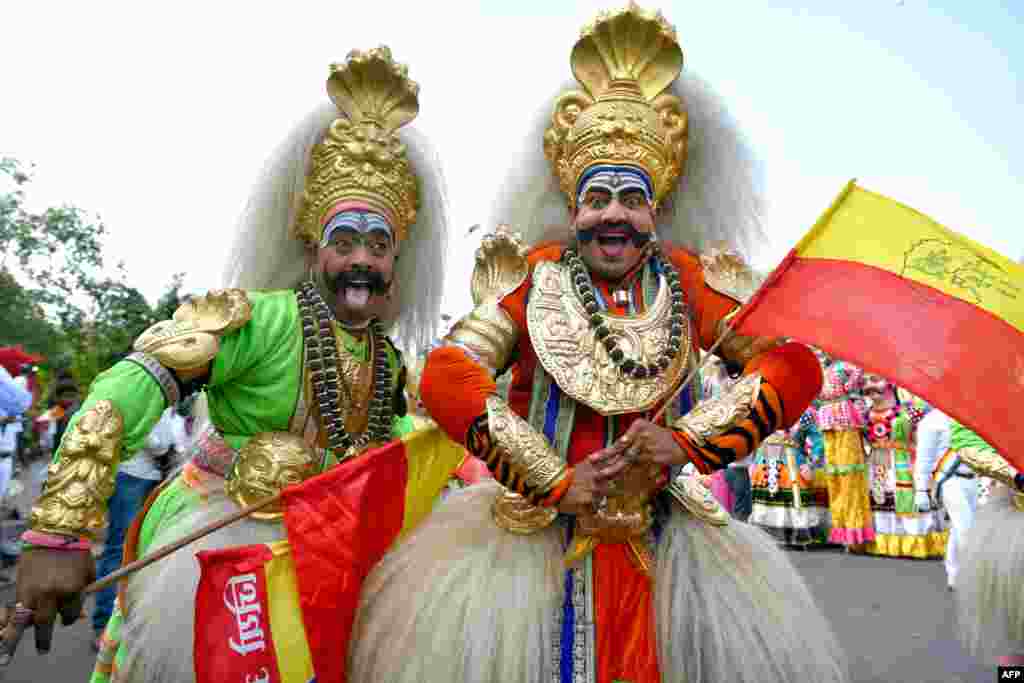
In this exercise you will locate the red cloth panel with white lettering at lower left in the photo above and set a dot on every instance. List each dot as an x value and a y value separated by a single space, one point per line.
233 618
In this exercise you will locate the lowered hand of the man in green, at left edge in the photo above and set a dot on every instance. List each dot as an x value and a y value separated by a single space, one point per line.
50 582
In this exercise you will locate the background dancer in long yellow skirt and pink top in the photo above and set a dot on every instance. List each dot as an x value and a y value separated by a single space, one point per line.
840 419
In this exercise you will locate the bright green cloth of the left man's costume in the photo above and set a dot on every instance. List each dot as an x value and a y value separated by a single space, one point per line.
253 388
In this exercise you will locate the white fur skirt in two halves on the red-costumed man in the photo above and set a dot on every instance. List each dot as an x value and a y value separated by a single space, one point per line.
462 601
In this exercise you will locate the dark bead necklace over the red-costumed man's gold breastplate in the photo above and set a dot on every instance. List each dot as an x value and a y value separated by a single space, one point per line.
631 367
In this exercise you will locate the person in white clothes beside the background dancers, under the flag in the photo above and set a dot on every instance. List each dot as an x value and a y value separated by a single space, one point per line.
938 469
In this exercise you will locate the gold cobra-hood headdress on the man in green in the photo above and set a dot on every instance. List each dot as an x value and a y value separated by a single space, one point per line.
362 159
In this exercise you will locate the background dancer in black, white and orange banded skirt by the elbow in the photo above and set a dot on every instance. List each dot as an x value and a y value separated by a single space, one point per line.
785 498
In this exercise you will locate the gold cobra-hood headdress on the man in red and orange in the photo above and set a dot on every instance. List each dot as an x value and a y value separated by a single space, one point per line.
625 61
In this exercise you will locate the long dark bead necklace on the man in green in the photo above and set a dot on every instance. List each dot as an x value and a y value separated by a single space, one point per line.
322 360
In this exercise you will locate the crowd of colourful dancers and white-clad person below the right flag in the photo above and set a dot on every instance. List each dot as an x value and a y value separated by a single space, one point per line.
870 468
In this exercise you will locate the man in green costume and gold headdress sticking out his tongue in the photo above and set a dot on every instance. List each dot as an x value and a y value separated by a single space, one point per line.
298 375
